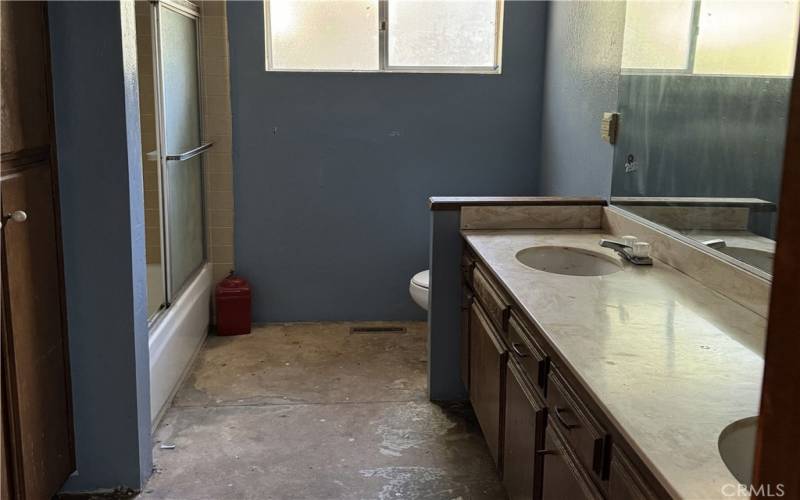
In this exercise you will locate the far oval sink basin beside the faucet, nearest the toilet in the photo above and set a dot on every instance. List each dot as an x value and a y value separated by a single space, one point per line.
568 260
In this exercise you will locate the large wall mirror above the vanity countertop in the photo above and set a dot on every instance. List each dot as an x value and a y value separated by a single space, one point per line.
704 99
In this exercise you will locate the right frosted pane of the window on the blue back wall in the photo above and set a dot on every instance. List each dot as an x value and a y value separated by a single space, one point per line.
442 33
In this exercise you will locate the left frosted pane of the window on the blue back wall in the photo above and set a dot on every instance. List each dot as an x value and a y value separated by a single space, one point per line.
323 35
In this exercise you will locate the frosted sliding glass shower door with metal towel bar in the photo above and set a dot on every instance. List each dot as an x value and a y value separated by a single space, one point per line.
180 150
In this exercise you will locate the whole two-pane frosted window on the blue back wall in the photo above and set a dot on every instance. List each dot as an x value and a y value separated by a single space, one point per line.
445 36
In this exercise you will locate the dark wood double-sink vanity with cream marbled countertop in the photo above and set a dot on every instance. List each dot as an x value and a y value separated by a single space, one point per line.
592 377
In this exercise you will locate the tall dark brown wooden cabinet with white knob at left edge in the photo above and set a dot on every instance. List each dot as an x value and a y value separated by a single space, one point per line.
37 438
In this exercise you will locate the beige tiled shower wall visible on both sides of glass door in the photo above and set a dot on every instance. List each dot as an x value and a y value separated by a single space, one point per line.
217 128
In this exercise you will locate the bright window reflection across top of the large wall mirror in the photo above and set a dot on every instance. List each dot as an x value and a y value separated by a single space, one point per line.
711 37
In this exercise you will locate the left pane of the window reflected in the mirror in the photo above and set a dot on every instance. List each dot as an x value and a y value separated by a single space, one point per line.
657 35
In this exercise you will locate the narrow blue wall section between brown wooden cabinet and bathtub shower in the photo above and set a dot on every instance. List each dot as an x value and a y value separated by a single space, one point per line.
96 106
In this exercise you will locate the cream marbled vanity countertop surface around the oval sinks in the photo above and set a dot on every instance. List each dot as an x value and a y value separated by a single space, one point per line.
671 361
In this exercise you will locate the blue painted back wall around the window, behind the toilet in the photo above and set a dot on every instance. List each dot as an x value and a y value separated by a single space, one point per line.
332 171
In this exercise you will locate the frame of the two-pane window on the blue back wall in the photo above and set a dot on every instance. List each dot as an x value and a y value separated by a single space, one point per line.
383 49
